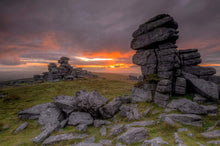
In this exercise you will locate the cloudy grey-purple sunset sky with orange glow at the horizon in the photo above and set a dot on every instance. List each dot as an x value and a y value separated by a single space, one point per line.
96 34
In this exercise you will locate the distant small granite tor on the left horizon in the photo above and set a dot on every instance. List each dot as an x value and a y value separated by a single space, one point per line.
64 72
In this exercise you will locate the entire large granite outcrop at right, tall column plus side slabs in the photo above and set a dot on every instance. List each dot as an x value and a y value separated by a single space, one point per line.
178 71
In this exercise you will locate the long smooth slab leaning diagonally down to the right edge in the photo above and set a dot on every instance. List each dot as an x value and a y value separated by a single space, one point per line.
203 87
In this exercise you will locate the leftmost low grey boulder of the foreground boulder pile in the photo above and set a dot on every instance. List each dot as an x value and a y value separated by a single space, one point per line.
33 112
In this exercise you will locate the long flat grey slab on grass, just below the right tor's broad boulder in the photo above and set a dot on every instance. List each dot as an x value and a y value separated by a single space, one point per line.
186 119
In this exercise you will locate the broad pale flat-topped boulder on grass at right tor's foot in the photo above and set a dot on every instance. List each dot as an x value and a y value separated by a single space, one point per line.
186 106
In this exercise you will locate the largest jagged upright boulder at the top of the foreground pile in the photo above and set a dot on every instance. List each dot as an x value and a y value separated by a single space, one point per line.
90 101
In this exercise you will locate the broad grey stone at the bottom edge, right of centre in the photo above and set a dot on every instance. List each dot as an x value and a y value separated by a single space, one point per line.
134 135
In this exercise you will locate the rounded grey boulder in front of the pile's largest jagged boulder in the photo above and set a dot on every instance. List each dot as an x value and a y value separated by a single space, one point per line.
77 118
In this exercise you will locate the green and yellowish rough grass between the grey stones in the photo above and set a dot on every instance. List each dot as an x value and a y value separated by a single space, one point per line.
111 85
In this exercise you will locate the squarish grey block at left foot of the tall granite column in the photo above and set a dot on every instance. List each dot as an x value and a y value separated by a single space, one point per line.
140 95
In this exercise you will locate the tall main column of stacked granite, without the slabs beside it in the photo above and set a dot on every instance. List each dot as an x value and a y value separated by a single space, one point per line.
157 53
